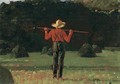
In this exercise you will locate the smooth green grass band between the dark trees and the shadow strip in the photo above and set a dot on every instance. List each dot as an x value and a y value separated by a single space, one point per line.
72 59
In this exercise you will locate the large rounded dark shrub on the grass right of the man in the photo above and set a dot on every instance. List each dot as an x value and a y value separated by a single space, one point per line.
86 50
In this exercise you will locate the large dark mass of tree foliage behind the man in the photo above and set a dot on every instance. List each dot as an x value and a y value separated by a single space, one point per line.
17 20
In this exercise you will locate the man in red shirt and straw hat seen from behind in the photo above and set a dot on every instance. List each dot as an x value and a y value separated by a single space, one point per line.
58 37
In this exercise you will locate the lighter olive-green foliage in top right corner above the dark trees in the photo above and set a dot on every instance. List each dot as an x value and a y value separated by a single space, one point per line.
101 4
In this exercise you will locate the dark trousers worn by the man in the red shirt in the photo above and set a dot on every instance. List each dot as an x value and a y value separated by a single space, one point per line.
58 58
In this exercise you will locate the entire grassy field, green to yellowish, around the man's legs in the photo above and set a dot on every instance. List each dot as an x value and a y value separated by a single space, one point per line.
103 69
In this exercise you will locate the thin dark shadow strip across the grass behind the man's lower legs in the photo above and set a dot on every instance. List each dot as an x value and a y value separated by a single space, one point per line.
93 68
